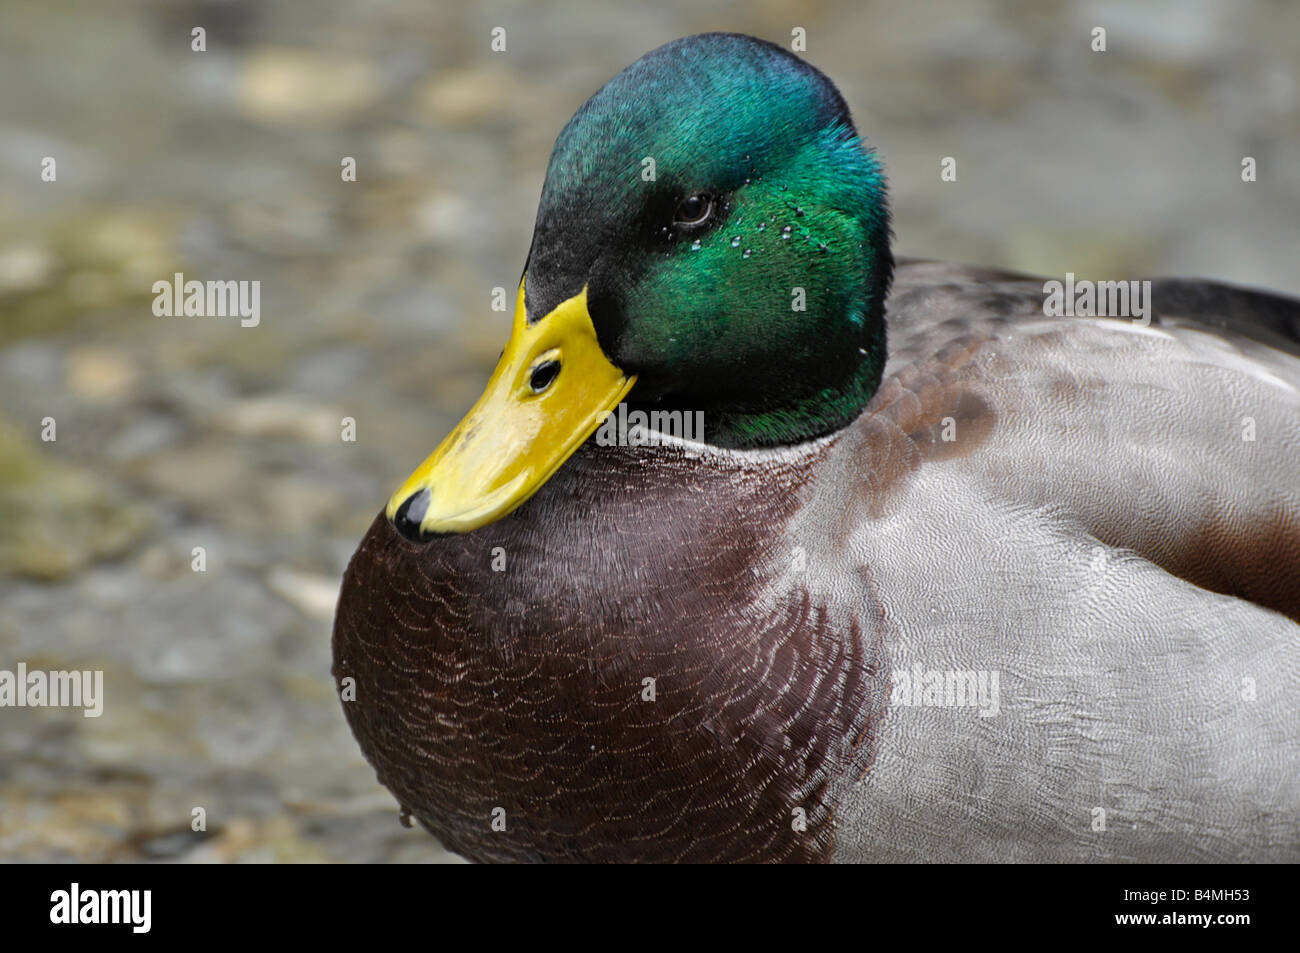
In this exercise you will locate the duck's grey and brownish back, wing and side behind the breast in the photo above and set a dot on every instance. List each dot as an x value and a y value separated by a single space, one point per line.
1094 529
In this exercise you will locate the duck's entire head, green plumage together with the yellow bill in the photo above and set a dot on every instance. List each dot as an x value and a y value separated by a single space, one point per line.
713 237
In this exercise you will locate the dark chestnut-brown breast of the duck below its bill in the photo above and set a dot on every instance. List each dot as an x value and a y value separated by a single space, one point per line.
523 690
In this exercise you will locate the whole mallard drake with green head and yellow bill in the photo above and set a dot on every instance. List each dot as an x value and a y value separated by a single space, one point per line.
1019 587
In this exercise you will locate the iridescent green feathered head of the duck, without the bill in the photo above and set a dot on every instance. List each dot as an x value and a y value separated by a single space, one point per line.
734 236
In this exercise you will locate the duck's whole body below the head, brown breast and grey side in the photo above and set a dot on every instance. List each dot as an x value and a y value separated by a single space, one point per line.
1059 501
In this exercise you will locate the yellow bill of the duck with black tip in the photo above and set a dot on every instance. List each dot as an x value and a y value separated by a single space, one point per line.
549 393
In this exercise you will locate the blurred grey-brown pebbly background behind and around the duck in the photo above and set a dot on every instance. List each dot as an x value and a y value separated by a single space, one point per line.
183 432
